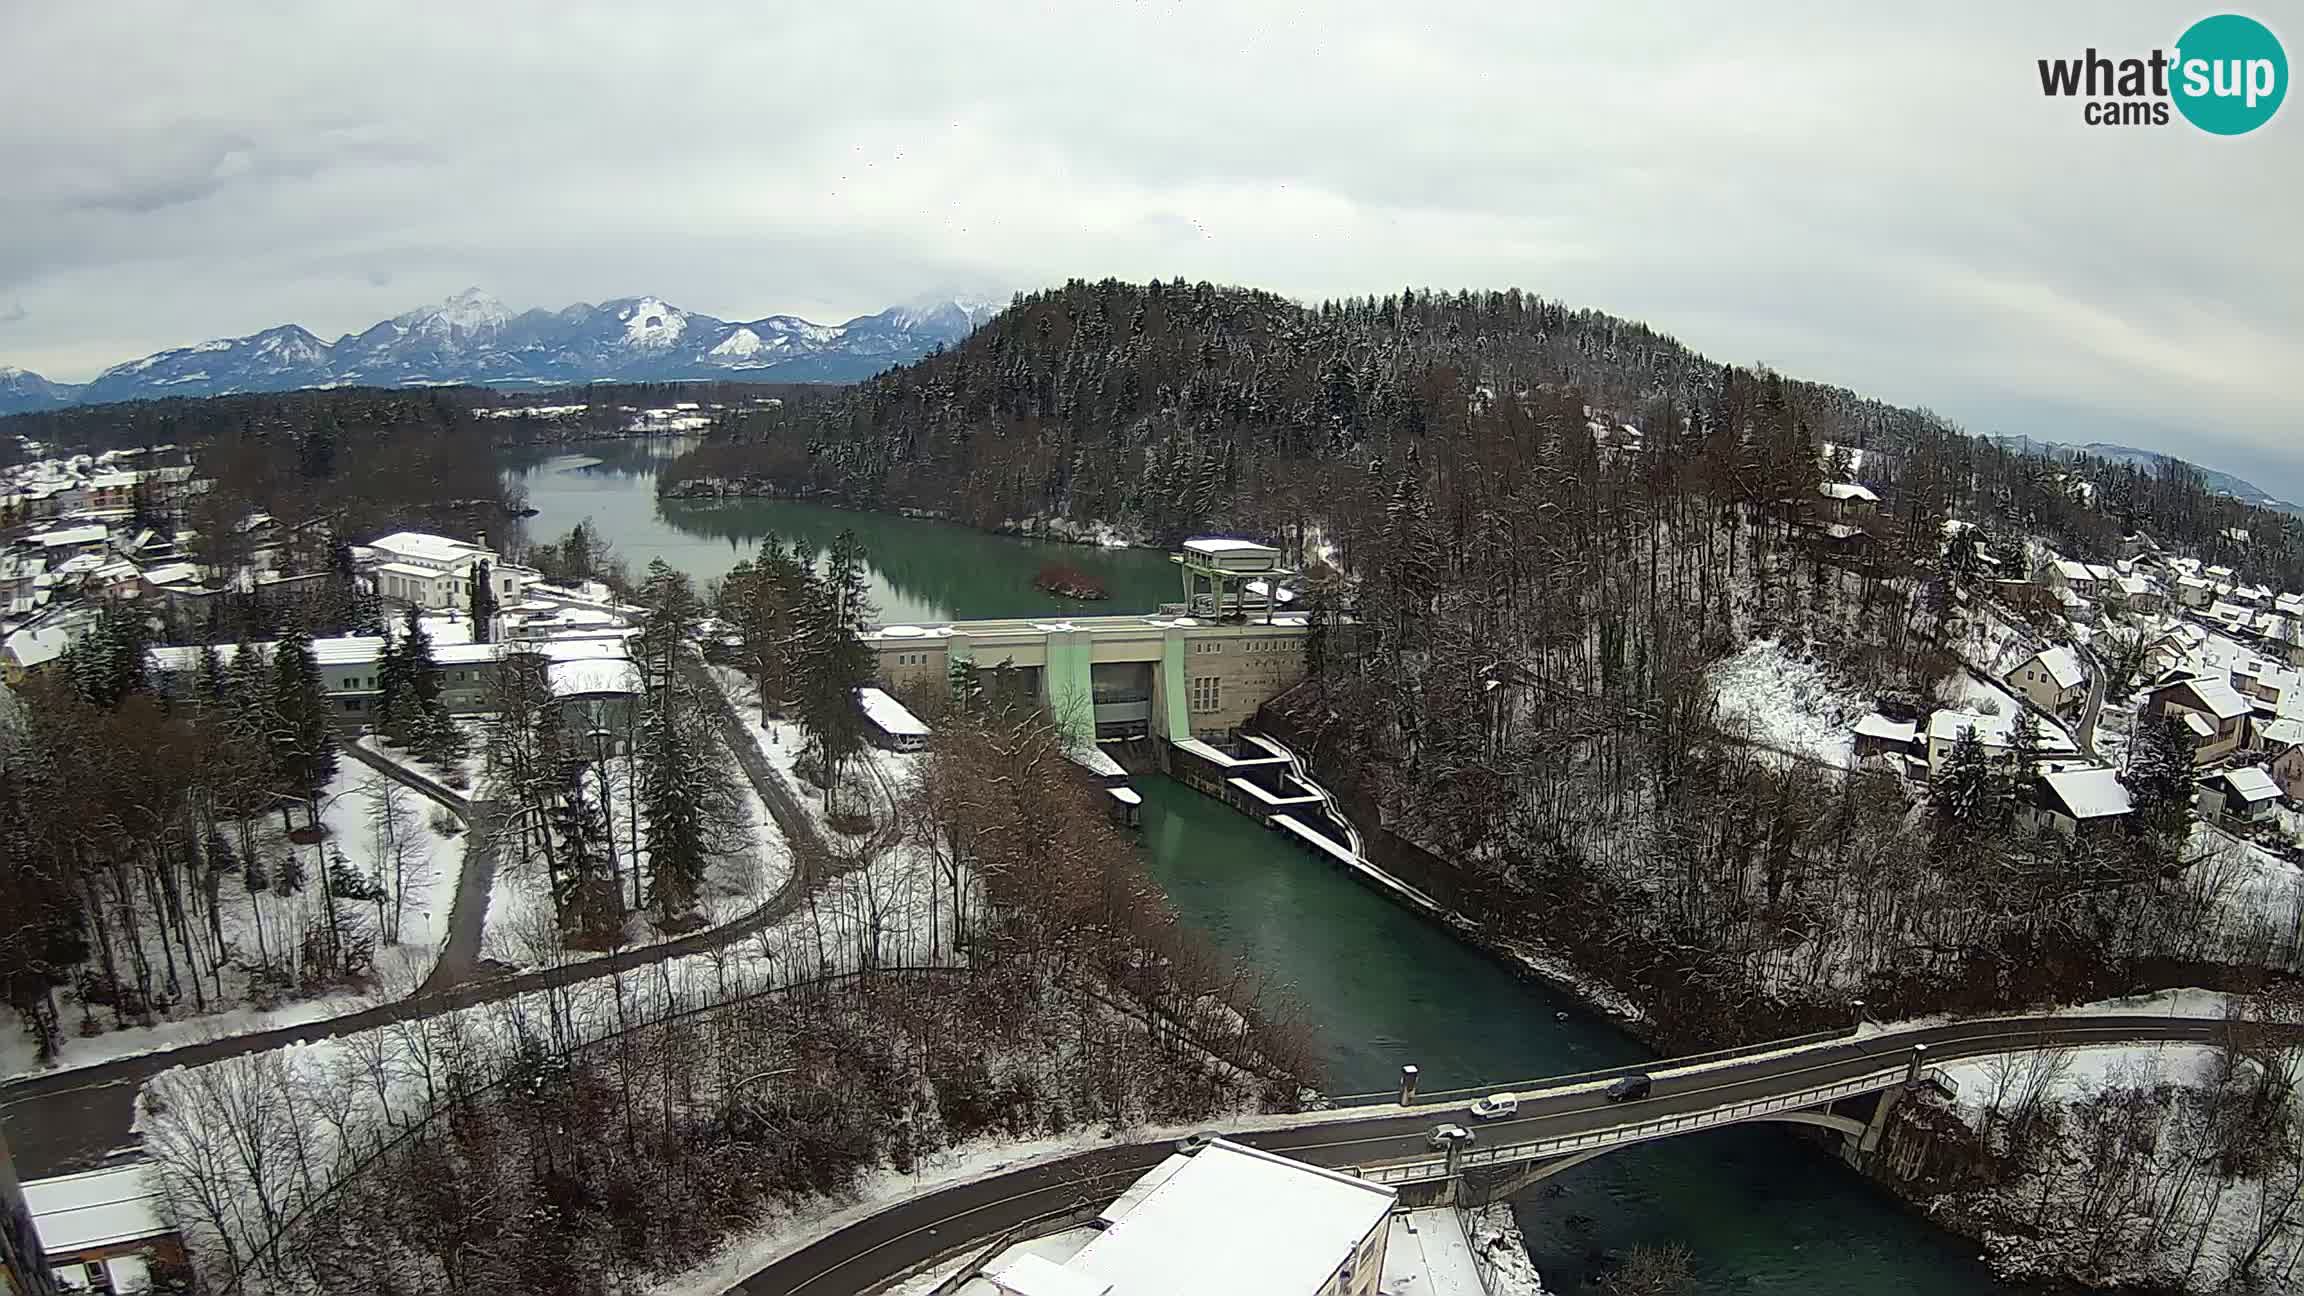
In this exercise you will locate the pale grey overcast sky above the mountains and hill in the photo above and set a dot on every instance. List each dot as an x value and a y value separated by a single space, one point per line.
1870 199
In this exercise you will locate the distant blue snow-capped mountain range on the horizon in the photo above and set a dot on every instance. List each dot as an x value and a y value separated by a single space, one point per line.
473 338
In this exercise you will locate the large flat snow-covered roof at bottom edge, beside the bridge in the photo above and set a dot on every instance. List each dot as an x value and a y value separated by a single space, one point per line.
1236 1223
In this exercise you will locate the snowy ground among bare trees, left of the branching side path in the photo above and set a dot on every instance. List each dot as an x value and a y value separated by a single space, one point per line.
268 928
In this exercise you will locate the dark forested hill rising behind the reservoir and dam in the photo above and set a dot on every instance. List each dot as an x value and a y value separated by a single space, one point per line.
1178 407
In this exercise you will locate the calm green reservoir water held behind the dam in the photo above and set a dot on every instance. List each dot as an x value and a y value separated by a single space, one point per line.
920 571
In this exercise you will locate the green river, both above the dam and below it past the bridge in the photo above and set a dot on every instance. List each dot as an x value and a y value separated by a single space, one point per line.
1764 1212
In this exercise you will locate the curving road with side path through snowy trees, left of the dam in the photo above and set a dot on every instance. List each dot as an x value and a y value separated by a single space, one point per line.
73 1120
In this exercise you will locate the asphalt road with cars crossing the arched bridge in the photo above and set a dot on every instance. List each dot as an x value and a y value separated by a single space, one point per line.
914 1233
